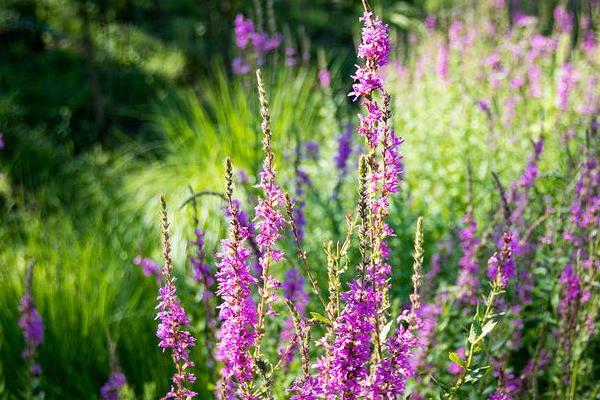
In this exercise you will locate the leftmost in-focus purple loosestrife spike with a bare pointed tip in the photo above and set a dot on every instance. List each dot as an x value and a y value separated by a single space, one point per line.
173 321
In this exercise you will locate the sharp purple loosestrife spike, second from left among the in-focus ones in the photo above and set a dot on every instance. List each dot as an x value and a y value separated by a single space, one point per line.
237 334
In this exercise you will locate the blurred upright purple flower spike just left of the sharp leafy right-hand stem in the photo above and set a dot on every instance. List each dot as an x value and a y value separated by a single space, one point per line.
468 281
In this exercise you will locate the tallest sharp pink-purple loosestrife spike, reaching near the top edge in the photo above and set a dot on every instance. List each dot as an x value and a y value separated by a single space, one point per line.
385 170
